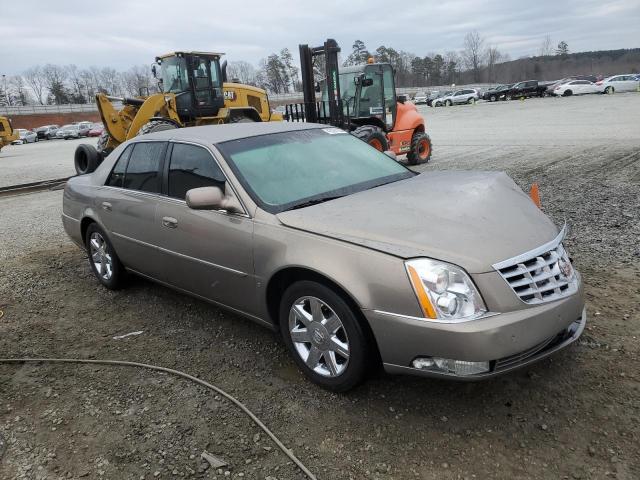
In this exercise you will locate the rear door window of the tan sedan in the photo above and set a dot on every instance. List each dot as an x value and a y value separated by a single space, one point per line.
143 169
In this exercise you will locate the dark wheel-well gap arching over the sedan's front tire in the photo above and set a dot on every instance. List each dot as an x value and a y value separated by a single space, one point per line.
287 276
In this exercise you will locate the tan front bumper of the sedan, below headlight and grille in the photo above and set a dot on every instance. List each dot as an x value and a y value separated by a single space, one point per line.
507 340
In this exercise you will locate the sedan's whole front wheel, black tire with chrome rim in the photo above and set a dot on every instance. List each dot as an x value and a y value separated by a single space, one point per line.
331 341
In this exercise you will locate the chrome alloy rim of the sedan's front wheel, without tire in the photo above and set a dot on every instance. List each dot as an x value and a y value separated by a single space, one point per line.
319 336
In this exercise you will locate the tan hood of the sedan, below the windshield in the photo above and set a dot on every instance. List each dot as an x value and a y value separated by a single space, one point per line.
471 219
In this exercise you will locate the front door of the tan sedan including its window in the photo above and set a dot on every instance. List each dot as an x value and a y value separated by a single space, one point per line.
206 252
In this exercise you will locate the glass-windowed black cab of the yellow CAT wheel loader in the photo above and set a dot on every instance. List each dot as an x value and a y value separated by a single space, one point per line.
196 80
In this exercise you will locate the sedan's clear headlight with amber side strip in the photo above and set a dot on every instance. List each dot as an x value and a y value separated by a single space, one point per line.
444 291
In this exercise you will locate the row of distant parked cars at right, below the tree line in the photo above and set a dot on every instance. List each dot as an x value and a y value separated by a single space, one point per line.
575 85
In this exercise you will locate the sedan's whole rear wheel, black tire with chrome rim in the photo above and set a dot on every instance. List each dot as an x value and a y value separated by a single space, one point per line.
103 260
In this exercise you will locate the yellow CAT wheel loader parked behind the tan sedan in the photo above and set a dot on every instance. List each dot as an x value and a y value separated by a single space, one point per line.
193 92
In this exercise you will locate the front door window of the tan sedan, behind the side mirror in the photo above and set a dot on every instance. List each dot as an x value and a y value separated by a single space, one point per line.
192 167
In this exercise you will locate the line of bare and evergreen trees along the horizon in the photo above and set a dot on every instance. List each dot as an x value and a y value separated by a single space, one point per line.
477 62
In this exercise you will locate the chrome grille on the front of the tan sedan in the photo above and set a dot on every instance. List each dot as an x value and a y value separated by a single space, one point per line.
542 275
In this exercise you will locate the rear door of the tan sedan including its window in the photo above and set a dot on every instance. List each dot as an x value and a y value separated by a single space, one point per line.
127 205
